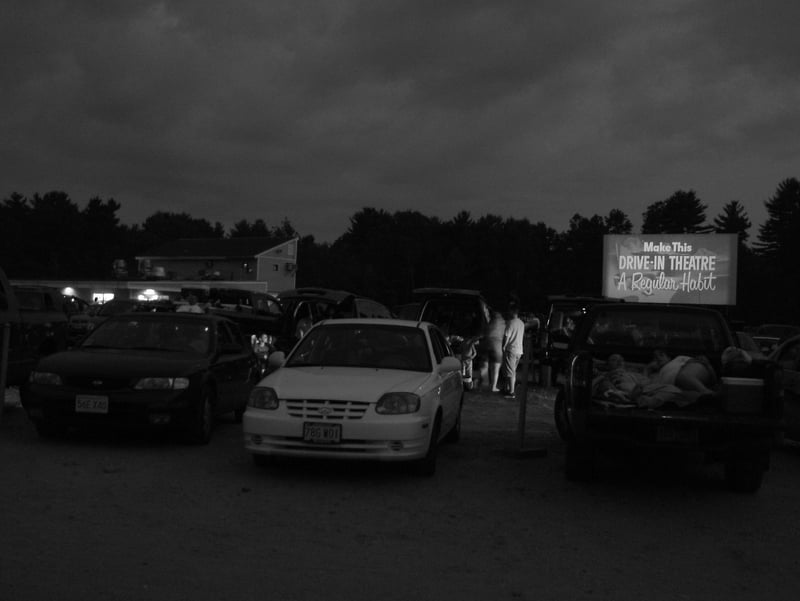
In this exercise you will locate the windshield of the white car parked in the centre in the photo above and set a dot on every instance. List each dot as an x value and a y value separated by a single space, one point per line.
360 345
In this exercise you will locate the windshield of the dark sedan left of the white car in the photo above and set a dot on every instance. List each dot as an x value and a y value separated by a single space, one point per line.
150 334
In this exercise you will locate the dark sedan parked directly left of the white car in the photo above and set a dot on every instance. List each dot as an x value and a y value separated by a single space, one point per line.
152 370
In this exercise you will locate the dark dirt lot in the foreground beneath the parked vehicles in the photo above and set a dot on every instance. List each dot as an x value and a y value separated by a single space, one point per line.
98 517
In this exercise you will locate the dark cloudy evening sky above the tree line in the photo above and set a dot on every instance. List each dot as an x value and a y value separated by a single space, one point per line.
312 110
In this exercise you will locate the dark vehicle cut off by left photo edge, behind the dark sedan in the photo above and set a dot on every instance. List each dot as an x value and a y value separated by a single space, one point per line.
32 324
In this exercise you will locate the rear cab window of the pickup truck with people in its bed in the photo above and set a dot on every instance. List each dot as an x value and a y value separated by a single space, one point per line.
684 332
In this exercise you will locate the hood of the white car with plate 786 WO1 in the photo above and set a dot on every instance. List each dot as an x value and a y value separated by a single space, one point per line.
347 383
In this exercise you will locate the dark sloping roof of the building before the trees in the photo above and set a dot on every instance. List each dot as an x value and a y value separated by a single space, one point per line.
213 248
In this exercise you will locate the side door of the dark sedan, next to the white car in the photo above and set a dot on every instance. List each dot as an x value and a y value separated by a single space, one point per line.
233 367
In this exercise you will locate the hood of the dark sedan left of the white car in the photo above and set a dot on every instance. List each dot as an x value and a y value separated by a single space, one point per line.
122 363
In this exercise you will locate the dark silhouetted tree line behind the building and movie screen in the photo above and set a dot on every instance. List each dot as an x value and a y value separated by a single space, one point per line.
385 254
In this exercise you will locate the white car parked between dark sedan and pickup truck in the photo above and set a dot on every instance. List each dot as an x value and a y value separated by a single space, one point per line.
371 389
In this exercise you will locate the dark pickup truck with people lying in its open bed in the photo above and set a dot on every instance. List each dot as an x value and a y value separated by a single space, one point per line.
667 378
